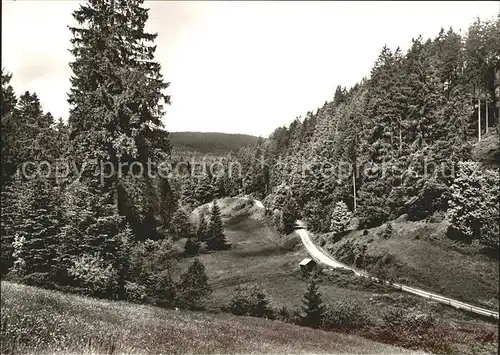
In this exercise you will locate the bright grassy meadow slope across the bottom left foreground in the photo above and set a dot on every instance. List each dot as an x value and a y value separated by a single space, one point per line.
40 321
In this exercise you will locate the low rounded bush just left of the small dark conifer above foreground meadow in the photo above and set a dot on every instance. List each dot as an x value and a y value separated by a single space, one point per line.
252 301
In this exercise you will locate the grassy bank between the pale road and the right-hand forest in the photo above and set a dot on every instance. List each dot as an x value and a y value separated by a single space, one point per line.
420 254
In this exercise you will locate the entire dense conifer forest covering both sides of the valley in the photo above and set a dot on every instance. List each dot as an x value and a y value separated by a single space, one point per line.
69 221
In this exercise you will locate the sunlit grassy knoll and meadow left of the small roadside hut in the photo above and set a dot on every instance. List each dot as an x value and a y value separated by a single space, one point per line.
261 256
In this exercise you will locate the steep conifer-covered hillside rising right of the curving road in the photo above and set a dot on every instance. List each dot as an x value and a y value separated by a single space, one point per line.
404 140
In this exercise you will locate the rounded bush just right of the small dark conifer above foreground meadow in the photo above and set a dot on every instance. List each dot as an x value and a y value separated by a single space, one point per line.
345 315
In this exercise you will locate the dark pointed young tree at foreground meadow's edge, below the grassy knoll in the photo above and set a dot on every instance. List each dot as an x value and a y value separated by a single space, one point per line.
193 287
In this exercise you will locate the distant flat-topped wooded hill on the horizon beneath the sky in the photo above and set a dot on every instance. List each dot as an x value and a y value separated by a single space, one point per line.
209 142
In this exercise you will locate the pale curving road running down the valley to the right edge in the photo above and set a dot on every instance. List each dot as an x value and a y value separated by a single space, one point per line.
321 256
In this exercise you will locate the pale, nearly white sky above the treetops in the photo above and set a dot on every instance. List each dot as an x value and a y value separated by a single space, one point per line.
235 66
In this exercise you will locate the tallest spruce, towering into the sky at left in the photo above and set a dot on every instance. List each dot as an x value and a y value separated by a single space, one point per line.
116 96
